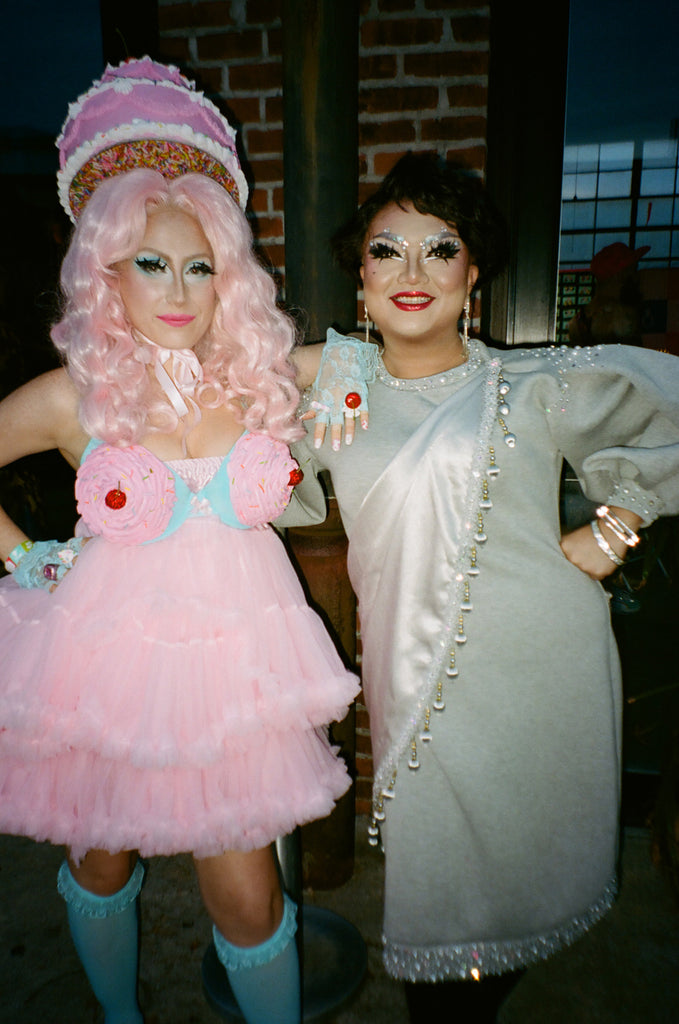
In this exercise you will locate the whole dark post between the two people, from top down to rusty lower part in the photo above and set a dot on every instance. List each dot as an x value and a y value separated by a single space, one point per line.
321 143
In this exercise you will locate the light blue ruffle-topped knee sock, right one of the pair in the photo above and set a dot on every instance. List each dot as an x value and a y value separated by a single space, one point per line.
265 979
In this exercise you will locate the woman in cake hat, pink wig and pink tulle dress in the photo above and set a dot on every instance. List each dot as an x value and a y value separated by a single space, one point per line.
165 687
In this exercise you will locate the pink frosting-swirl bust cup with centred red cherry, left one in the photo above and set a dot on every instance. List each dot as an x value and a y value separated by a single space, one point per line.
125 495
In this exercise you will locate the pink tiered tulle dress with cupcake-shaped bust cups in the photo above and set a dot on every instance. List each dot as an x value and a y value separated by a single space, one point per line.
174 694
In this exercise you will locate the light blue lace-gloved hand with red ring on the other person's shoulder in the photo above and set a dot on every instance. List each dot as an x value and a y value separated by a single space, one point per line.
339 394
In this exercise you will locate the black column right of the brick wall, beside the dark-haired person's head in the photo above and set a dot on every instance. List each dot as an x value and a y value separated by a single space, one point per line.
527 115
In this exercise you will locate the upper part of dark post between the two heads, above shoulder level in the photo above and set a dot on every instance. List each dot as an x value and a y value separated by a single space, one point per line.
321 142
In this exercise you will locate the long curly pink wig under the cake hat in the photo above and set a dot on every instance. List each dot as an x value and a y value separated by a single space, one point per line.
244 356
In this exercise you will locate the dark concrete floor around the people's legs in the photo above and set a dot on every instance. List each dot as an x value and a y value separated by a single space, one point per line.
625 971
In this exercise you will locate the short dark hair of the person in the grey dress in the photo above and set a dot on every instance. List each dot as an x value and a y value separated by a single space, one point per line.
453 194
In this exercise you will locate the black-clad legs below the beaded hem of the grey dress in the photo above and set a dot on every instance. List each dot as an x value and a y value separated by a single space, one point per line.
459 1002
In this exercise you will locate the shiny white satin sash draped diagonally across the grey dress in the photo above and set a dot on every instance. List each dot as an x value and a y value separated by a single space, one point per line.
409 551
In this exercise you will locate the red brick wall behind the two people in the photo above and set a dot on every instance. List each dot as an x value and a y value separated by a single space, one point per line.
423 86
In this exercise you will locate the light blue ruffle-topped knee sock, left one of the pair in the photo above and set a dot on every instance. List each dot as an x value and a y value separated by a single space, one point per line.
106 934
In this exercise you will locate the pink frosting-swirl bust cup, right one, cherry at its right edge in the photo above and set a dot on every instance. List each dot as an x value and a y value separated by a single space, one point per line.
263 476
